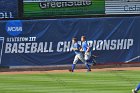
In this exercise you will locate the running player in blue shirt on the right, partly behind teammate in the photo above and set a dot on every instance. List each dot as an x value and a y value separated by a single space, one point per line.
87 51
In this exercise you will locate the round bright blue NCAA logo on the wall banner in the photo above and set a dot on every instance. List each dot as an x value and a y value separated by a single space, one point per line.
14 27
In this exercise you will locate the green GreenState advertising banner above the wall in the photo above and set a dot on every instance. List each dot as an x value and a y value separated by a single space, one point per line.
45 8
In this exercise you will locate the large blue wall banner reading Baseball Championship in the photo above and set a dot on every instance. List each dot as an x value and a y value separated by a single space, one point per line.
48 42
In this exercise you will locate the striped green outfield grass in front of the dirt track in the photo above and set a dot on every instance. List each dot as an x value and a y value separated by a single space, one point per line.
94 82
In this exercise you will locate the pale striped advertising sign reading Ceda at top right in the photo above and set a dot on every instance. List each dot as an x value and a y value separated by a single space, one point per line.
122 6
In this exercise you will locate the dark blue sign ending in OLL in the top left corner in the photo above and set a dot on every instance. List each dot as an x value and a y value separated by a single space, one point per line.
8 9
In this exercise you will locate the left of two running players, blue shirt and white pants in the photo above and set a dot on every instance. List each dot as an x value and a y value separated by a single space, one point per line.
79 56
